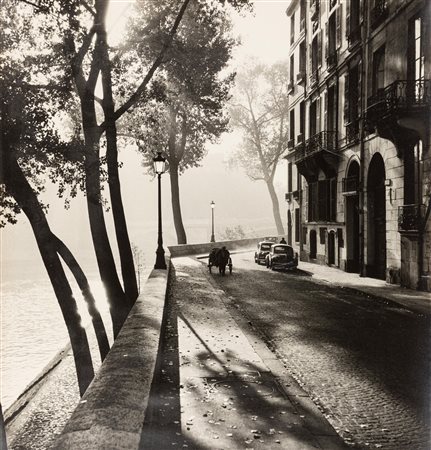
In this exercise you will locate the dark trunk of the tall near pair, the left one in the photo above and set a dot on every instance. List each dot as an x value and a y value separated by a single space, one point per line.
119 304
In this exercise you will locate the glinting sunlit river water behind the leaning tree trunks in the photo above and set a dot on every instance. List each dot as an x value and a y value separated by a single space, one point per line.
32 326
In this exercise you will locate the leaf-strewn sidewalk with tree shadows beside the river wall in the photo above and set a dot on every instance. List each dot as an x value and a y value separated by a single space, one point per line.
219 386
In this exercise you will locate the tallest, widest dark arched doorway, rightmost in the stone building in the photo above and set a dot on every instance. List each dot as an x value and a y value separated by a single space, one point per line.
376 201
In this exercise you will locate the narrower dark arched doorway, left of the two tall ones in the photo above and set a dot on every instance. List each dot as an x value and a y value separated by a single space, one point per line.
352 218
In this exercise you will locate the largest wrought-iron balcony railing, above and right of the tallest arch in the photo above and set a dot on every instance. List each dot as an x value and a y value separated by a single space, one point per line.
400 95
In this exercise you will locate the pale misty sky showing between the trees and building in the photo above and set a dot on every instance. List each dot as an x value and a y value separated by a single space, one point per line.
238 200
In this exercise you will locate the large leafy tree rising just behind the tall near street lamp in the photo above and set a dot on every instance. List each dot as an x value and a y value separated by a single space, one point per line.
189 111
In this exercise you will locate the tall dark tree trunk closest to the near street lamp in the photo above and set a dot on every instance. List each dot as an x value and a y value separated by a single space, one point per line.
122 235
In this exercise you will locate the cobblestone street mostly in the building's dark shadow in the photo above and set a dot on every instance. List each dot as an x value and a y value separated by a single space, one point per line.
363 360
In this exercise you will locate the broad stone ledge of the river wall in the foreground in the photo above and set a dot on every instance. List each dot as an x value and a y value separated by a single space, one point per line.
113 408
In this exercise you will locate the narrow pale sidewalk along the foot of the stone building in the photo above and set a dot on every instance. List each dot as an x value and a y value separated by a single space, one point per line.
417 301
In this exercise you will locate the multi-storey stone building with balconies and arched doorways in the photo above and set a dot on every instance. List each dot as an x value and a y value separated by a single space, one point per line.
359 163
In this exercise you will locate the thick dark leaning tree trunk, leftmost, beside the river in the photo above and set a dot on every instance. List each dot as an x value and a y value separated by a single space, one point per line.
17 186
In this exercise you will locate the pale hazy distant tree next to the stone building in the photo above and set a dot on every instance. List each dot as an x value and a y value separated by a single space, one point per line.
259 109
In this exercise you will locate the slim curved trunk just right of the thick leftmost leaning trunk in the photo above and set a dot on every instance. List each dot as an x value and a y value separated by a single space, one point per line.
81 279
